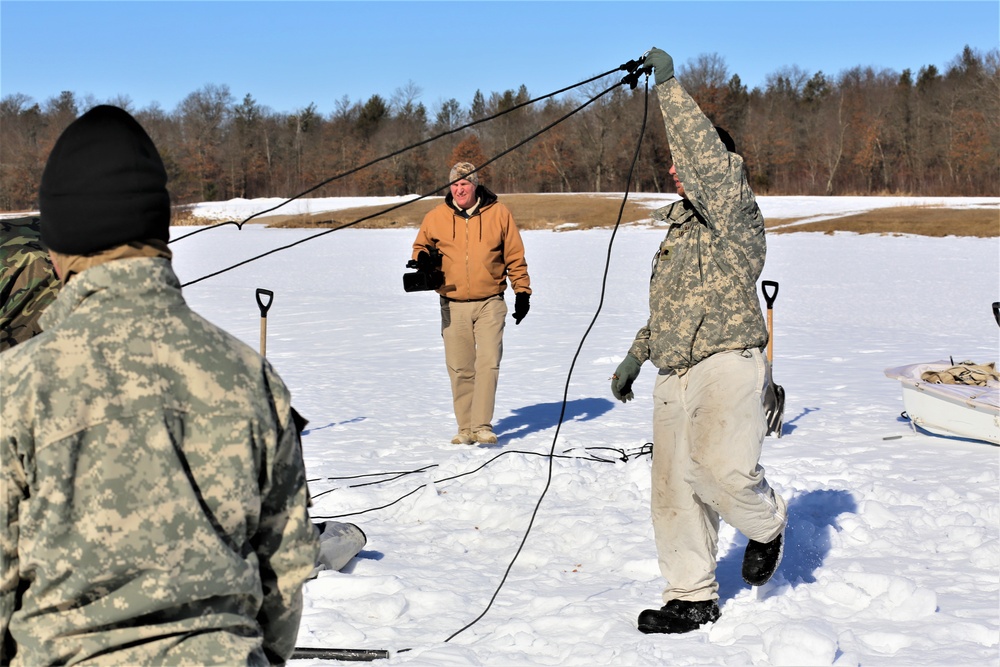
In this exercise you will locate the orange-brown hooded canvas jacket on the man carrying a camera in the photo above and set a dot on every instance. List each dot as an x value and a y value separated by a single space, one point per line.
479 253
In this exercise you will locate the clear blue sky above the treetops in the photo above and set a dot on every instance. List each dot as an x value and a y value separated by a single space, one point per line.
290 54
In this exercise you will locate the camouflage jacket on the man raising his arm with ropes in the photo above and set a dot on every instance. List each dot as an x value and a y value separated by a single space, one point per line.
703 288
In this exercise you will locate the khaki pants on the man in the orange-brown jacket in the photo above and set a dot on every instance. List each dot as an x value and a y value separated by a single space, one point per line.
473 345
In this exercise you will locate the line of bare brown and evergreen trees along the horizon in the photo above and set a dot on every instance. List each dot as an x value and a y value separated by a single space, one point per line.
864 131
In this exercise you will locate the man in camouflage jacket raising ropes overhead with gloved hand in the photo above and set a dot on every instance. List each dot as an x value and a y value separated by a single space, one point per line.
705 336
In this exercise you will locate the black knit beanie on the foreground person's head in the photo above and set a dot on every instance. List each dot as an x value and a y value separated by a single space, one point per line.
104 185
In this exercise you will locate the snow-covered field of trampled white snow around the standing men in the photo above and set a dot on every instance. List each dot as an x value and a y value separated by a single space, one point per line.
893 551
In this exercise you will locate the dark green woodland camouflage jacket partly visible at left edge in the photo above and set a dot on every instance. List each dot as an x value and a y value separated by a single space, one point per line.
28 282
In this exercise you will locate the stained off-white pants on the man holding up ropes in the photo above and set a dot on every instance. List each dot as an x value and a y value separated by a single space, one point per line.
708 427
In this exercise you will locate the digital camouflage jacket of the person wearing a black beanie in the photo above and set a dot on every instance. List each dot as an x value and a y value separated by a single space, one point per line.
154 495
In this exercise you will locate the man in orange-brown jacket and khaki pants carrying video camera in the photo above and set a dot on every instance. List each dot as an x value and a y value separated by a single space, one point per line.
481 250
